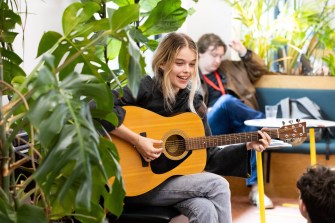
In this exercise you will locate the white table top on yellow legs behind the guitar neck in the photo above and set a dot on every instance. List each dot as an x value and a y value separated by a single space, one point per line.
278 122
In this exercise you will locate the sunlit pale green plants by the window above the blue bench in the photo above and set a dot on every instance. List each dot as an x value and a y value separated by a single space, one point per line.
299 38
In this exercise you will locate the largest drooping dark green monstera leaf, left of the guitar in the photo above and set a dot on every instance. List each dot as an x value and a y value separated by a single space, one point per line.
73 164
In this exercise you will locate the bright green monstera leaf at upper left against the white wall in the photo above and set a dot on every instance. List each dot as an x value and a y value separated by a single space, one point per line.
75 47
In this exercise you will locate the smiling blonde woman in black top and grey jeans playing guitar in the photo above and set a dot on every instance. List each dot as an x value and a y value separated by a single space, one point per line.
202 197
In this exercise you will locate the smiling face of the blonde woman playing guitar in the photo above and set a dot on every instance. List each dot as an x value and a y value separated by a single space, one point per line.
183 68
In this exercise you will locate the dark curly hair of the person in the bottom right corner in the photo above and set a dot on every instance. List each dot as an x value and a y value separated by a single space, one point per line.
317 191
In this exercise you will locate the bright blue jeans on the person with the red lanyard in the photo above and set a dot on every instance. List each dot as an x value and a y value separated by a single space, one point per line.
227 116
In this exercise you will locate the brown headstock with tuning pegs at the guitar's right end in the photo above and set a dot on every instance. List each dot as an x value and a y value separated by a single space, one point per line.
289 133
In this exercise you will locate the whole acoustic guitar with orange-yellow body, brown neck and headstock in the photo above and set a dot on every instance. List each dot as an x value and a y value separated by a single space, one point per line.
184 144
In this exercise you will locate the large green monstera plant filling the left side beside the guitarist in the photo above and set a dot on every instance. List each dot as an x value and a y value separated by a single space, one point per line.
70 171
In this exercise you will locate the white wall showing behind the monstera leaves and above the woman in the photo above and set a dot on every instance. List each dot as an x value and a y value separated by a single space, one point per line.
45 15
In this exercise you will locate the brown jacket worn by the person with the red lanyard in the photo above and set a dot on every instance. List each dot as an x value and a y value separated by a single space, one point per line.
240 77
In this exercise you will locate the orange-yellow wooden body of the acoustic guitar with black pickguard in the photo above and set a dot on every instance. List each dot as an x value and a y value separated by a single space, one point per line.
139 176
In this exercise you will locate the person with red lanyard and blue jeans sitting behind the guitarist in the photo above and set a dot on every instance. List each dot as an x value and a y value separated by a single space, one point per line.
229 93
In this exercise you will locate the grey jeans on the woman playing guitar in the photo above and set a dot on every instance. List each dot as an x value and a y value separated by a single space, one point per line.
202 197
